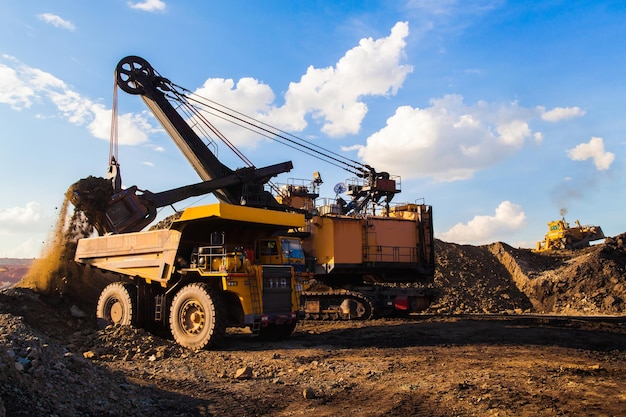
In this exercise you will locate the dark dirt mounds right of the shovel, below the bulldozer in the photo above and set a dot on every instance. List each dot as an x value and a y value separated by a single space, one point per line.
498 278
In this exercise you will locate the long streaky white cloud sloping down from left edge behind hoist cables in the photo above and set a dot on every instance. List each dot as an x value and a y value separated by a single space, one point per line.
22 86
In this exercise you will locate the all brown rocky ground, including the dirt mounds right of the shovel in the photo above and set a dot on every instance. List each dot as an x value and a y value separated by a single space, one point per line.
550 340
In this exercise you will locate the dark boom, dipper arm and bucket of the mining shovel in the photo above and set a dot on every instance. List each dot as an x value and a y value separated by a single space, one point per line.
128 211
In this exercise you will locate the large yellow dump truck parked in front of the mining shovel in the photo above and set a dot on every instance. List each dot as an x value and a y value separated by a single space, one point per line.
217 266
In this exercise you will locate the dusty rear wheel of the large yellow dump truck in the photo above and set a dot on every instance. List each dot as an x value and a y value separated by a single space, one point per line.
116 305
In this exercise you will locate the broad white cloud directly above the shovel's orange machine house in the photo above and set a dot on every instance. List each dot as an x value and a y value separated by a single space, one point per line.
449 140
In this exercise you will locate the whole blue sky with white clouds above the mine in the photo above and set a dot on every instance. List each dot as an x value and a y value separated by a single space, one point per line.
498 114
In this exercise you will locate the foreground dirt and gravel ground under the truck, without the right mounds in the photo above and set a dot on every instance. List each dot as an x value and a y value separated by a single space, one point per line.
425 366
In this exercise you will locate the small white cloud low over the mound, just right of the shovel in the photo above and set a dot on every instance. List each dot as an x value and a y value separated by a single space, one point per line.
508 218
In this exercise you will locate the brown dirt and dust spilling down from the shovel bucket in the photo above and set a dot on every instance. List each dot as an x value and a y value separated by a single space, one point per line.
55 273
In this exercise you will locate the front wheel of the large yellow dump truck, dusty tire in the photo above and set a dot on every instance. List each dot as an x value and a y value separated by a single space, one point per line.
197 317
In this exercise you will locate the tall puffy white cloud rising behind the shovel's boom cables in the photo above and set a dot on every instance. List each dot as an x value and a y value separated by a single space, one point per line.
332 95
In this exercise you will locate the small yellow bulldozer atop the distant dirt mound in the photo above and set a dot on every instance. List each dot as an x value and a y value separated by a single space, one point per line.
561 236
